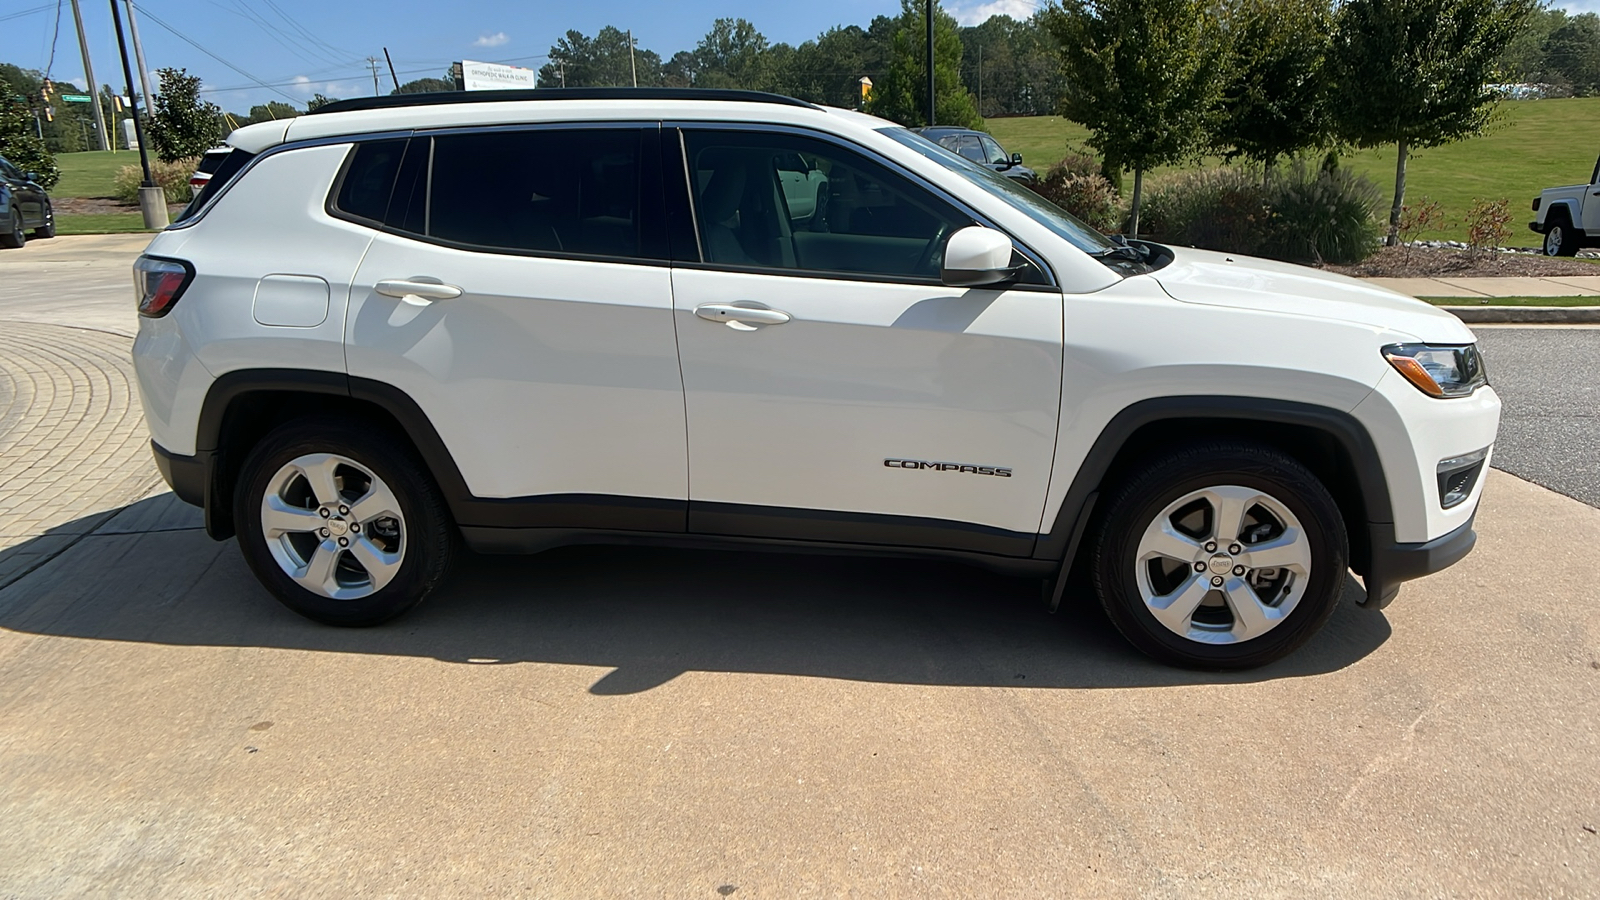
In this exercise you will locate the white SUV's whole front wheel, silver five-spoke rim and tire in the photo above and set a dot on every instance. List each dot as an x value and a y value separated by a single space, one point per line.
1222 556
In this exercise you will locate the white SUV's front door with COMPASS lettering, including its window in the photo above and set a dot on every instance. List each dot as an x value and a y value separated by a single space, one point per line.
836 390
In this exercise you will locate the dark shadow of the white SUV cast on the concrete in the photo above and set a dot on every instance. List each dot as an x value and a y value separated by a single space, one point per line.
151 576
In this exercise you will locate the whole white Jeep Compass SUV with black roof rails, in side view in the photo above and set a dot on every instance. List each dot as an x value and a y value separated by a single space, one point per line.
529 319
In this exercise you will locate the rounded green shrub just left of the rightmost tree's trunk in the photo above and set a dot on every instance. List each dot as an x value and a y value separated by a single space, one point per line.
1322 217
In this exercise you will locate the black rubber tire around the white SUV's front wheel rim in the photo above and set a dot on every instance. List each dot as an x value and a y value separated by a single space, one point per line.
1166 480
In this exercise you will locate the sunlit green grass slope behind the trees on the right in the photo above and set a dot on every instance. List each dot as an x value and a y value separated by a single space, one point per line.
1530 147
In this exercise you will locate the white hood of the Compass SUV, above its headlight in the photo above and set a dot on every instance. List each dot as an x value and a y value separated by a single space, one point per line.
1244 283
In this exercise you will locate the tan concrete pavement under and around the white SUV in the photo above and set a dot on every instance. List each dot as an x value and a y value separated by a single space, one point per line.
697 725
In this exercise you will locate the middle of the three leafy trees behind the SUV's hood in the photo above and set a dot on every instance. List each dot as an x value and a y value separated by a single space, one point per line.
1274 98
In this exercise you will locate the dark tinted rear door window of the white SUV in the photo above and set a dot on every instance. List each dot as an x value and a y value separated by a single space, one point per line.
542 191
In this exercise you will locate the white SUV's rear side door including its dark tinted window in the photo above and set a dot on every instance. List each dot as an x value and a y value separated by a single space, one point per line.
519 294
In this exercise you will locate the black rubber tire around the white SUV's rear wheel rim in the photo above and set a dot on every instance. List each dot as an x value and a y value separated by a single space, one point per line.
430 536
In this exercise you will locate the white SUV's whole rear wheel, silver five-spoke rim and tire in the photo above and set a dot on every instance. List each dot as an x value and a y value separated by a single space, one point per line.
342 523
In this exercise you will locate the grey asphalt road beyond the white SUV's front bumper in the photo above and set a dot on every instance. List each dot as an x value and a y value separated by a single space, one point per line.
1550 380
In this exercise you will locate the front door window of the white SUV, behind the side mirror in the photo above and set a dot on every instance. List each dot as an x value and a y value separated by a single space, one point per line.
793 203
